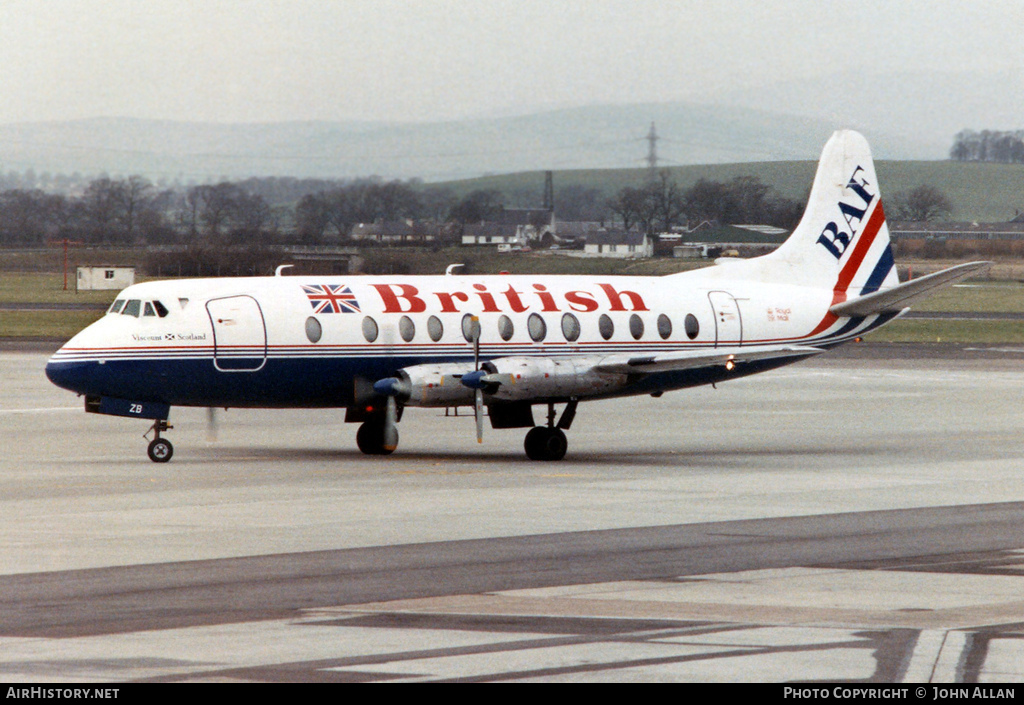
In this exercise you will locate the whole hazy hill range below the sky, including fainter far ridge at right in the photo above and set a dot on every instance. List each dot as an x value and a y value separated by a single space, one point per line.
906 116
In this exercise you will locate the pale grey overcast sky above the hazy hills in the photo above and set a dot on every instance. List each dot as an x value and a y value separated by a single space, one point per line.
260 61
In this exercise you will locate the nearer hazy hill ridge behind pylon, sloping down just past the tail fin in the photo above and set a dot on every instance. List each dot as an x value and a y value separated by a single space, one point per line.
595 138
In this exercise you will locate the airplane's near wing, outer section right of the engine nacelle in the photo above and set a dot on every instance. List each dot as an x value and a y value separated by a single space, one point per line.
690 360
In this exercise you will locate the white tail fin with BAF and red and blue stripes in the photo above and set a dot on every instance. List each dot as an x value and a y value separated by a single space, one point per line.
842 242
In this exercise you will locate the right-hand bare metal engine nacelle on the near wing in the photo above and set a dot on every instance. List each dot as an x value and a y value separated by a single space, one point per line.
519 380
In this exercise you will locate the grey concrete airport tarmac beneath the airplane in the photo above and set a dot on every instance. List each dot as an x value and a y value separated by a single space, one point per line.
859 517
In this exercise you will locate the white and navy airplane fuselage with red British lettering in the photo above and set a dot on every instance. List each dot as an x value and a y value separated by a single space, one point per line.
211 343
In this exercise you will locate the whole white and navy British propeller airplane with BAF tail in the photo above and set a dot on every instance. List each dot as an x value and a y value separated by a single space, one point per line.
378 345
